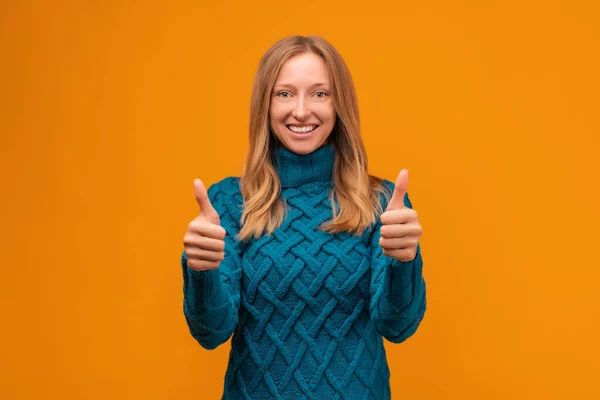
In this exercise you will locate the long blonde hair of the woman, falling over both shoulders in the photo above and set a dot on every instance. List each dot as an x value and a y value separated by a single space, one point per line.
356 191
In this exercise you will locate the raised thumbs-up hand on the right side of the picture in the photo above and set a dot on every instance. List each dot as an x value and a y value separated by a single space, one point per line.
400 228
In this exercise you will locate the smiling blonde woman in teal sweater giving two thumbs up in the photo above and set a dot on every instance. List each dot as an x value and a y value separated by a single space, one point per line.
305 259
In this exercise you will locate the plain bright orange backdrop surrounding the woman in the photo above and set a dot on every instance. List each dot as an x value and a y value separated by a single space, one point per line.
111 109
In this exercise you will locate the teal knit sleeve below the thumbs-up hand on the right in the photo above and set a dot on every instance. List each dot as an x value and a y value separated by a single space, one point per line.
397 289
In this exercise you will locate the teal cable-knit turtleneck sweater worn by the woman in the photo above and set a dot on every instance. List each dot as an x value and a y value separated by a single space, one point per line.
307 309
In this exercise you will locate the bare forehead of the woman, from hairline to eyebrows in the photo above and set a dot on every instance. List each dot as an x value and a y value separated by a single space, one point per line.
303 68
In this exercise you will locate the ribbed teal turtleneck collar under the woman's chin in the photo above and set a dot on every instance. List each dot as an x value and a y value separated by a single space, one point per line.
298 169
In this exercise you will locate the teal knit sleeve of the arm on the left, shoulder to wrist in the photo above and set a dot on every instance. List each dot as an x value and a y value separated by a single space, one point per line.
211 298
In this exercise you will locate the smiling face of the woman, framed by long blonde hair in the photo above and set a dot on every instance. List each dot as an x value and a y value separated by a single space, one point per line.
302 114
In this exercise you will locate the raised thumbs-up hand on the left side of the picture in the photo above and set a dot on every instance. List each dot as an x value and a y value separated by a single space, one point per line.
204 239
